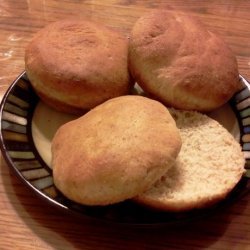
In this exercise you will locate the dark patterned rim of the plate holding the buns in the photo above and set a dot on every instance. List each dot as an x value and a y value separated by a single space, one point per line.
22 155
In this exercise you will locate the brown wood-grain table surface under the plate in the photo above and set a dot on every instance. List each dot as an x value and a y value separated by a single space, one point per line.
26 221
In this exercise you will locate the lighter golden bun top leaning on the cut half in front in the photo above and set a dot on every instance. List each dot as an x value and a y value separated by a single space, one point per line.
115 151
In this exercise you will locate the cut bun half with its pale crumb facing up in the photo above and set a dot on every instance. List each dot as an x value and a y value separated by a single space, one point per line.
207 168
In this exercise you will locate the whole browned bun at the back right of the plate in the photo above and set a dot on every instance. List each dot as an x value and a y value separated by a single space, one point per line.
175 59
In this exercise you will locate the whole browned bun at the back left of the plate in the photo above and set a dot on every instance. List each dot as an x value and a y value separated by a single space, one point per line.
75 65
